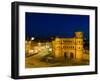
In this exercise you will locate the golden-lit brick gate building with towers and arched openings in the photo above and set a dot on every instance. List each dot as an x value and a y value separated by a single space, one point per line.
68 48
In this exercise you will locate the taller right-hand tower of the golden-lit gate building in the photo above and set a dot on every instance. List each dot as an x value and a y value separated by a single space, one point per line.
79 45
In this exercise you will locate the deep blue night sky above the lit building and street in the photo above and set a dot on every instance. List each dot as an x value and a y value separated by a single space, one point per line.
63 25
